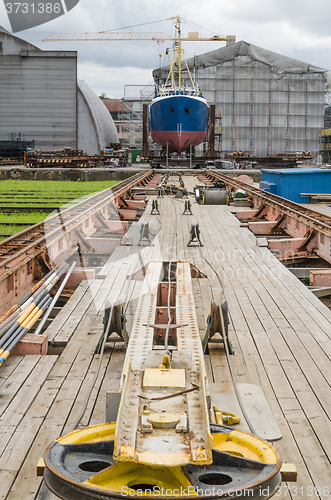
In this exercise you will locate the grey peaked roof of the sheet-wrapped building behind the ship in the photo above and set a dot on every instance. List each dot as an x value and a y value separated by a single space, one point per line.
281 64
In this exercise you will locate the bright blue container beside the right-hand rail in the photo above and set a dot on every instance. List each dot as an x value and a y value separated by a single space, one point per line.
291 183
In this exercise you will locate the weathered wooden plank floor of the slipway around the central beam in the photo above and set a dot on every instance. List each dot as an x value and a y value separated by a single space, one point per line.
280 331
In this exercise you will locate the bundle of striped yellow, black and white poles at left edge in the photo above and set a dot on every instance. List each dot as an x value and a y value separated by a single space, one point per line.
24 314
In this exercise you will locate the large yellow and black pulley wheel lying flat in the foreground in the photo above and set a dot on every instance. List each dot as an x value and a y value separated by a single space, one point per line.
80 466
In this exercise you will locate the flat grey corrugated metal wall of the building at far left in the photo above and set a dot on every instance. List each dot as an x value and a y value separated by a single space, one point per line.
38 98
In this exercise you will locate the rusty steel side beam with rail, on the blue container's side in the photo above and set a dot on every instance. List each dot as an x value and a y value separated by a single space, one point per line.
295 220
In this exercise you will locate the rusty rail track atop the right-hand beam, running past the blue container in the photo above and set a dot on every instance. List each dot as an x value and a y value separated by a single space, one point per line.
287 207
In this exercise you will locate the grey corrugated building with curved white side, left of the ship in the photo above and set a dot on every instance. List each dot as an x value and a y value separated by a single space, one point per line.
41 99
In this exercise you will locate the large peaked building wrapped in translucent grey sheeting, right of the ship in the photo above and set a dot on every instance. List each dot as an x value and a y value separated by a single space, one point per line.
266 103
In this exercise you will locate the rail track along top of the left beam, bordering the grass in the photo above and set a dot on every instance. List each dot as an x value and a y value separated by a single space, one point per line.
81 211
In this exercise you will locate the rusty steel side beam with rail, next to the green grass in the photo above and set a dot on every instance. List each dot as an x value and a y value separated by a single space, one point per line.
22 255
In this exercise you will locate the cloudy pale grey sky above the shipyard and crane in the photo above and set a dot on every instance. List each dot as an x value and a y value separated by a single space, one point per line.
294 28
